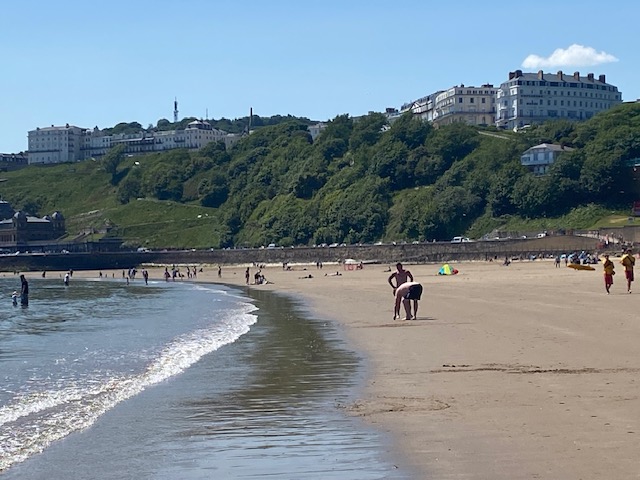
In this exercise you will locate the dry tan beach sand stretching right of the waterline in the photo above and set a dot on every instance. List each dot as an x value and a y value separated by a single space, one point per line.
525 371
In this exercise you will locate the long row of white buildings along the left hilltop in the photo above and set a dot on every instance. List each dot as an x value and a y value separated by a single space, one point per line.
73 144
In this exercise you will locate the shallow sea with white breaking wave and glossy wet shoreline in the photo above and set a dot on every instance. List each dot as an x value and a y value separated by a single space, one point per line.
177 380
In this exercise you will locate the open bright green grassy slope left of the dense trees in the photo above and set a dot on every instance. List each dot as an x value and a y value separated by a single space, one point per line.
82 192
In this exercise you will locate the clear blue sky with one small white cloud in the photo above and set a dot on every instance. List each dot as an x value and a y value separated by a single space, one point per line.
101 63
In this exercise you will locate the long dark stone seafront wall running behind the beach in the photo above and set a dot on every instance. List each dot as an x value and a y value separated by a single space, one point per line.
409 253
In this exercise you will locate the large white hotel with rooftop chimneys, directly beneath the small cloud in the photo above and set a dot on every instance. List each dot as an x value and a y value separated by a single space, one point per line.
528 98
